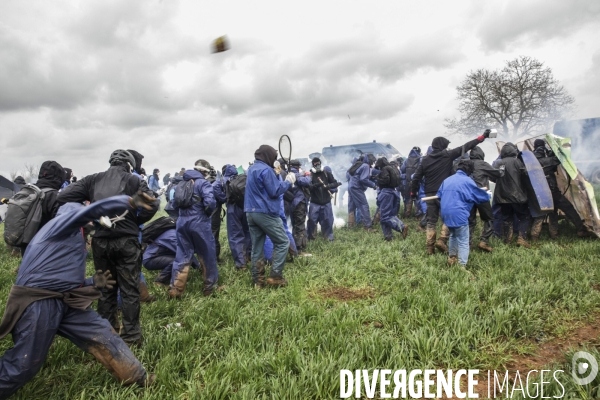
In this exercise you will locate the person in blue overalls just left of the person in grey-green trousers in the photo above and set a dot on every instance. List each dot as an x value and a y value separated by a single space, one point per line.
238 233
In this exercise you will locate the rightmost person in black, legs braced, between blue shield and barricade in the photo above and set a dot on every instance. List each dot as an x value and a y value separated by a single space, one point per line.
550 163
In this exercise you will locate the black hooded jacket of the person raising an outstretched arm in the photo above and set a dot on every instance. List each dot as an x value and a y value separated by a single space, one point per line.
437 166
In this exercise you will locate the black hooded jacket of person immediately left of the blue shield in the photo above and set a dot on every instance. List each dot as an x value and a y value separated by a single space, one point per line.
510 188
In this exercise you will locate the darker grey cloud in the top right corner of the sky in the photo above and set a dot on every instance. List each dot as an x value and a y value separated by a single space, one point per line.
534 21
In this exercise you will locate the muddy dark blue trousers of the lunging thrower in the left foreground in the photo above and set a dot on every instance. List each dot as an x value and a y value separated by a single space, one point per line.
34 333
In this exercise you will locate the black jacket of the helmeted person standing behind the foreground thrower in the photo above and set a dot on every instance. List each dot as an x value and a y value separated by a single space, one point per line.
114 181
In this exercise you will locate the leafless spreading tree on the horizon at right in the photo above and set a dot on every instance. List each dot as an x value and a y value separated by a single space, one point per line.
521 99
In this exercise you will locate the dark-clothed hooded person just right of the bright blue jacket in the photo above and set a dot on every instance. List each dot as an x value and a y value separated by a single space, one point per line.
482 174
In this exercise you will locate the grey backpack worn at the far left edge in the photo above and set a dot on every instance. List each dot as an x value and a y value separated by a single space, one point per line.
24 215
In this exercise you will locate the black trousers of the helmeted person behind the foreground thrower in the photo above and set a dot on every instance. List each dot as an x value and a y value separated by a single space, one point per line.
122 257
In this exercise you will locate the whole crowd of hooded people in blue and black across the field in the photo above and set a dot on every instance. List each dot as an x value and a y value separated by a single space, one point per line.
52 296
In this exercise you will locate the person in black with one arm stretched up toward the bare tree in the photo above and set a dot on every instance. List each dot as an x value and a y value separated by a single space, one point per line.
435 168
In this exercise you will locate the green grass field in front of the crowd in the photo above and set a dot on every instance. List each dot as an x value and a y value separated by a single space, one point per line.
411 312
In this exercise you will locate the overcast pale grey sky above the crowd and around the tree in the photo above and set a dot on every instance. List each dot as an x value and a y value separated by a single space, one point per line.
79 79
